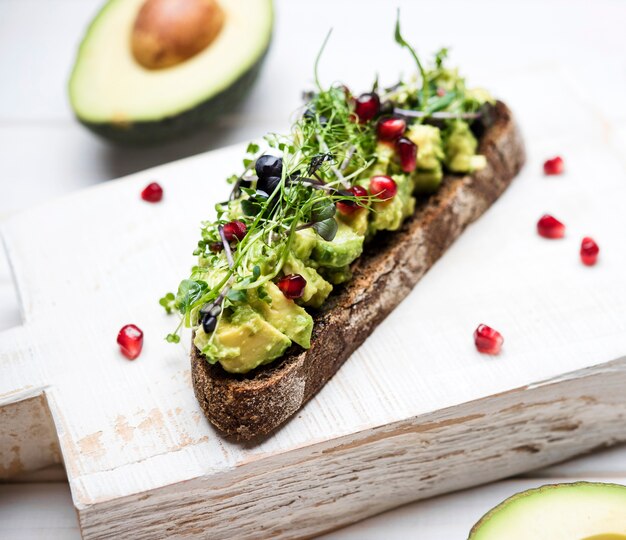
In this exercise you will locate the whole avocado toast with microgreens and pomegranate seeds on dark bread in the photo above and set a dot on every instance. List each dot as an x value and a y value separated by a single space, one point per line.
313 251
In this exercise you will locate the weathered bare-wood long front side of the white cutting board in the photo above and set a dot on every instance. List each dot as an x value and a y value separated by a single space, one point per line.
333 483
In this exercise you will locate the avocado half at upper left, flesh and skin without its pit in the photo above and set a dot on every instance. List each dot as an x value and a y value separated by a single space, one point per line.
118 98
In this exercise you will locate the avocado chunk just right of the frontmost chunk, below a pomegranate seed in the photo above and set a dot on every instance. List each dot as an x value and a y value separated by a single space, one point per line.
283 314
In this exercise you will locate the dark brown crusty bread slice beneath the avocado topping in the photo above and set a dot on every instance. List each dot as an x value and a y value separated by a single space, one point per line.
249 406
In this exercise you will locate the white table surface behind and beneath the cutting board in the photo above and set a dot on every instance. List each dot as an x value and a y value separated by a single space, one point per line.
45 153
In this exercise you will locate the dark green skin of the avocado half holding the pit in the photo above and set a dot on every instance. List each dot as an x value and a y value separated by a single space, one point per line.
182 124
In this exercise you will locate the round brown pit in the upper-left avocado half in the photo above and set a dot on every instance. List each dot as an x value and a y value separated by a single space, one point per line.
166 33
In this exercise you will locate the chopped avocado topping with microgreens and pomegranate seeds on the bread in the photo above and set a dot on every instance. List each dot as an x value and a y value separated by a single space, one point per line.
306 205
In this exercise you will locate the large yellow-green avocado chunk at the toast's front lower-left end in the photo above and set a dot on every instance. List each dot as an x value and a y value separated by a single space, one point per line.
242 343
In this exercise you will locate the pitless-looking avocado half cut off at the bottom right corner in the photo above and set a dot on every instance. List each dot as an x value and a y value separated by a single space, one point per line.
578 511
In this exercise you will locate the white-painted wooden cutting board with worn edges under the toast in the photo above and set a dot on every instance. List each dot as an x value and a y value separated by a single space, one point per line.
415 412
